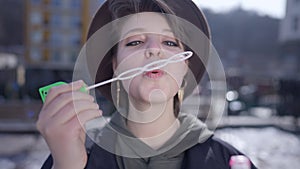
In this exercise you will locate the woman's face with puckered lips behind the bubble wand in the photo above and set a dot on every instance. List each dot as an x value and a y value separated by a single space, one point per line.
147 37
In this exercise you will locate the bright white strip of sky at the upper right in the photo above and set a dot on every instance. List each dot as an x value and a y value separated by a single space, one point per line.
273 8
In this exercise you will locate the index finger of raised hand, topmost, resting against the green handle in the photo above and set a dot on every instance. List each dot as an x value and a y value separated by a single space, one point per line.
57 90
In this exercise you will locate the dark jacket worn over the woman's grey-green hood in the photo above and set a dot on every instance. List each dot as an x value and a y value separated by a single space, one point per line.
212 154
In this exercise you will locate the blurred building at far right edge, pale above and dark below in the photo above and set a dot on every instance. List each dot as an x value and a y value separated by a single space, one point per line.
289 38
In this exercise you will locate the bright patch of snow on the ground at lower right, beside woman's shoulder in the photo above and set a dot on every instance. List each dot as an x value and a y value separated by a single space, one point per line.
268 148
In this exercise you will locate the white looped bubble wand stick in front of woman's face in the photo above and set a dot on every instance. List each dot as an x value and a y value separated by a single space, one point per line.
131 73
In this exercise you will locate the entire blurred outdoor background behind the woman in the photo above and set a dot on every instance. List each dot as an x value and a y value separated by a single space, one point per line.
258 43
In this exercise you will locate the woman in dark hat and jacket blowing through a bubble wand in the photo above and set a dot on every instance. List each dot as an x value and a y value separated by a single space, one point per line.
149 130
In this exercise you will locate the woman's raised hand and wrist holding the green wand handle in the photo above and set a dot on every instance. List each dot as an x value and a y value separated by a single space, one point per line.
61 121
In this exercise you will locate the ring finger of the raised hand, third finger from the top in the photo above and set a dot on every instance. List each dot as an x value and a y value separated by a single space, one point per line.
72 109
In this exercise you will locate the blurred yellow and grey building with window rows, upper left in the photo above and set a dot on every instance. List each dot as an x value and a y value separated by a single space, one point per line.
56 30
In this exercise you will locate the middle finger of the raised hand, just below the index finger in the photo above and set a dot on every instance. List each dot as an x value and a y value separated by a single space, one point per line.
63 99
